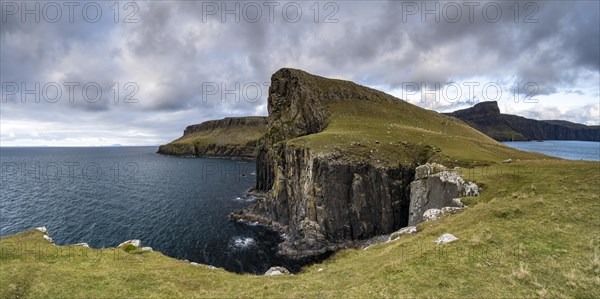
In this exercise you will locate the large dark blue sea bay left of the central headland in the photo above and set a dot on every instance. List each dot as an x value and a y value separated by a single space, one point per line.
104 196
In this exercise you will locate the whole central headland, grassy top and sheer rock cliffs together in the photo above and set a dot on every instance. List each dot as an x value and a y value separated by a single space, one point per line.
337 160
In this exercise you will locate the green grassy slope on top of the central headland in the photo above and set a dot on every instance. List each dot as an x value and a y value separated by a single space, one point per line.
402 130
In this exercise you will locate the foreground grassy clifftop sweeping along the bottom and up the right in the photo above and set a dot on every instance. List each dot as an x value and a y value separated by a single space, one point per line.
533 232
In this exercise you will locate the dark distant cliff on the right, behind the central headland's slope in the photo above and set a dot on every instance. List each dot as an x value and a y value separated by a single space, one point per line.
486 117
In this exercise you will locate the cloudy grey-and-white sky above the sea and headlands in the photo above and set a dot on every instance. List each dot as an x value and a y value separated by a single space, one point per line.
136 73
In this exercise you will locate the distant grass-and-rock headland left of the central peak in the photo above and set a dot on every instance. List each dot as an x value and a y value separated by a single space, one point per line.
229 137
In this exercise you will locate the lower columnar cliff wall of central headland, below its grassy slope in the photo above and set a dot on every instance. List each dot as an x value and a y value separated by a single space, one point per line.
323 204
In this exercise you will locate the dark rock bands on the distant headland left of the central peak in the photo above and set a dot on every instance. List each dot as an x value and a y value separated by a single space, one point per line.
228 148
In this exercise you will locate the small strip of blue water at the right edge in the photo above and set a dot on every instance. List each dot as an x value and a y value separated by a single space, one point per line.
572 150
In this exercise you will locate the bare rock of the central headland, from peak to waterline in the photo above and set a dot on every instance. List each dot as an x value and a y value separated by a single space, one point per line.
320 201
